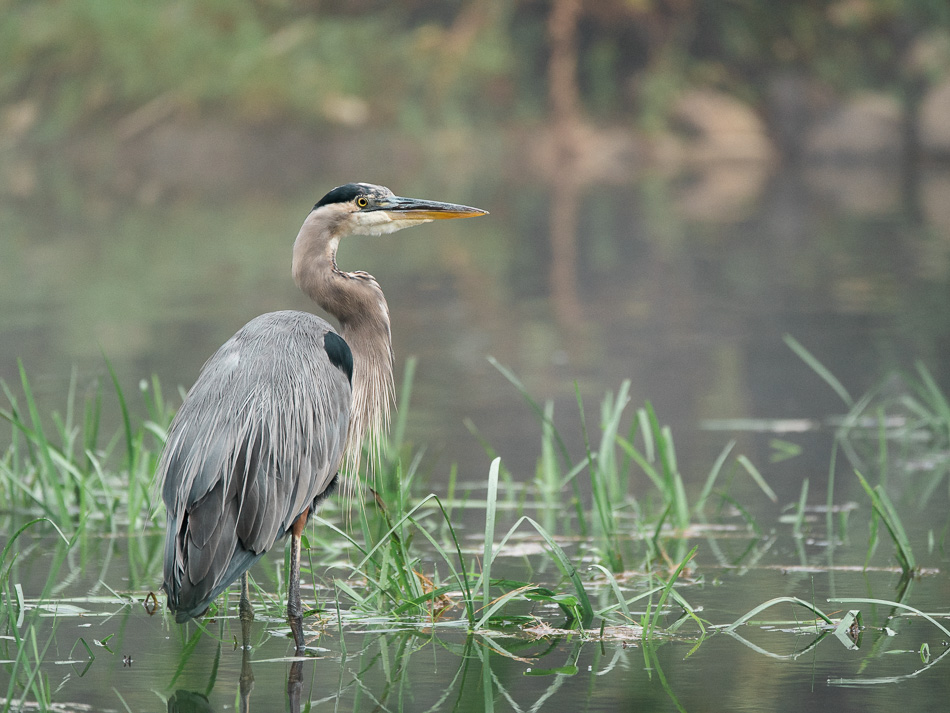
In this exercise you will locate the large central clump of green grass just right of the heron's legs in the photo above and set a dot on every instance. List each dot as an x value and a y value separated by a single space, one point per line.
445 581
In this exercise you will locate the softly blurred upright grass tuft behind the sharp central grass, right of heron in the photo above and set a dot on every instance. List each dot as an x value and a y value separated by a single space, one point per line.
622 512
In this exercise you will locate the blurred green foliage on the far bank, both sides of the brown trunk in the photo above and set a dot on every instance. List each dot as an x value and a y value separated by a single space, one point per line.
419 63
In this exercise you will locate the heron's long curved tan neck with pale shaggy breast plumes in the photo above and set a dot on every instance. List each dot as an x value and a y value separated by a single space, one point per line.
357 302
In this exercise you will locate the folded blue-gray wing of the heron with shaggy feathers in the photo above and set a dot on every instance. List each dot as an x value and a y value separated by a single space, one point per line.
257 441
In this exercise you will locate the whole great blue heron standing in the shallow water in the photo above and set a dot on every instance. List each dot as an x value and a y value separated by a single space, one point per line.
261 435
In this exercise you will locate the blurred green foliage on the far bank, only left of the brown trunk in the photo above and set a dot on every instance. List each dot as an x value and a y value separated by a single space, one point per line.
88 59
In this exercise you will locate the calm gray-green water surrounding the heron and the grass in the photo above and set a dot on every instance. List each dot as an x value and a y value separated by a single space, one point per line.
685 286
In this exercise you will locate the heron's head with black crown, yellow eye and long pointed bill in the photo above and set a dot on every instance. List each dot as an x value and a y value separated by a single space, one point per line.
365 209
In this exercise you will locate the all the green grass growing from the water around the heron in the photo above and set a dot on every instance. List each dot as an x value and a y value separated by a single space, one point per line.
431 564
